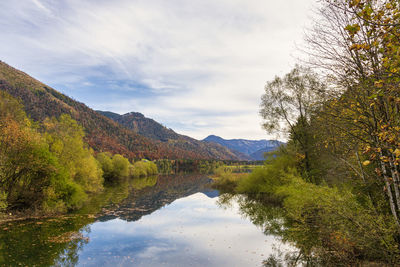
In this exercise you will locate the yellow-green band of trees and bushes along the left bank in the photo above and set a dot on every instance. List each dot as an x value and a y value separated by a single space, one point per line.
48 167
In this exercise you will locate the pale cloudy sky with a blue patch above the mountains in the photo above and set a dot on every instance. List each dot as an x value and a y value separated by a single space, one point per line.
196 66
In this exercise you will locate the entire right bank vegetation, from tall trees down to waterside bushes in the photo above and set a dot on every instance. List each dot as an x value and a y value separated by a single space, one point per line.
337 179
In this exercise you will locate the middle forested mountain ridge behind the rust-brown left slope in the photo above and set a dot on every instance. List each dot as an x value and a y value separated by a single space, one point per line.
147 127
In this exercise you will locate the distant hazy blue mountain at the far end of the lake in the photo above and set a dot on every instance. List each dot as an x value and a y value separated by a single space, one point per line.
254 149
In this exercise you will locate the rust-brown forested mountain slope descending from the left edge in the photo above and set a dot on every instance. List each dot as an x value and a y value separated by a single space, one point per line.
102 134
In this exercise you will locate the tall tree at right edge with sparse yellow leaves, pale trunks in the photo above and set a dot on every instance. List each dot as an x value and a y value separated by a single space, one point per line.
357 42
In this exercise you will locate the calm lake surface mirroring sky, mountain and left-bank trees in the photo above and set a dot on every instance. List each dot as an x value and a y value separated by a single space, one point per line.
165 221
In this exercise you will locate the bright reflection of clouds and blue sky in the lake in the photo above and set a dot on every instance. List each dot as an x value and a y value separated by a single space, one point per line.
190 231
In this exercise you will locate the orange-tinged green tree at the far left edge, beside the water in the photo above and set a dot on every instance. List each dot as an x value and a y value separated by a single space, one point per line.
30 175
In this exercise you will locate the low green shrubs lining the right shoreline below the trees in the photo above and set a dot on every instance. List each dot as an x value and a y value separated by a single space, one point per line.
329 224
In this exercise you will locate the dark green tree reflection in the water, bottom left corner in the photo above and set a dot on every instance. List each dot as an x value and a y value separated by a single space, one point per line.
37 243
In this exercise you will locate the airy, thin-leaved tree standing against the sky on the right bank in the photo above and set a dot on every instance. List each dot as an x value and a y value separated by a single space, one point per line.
288 104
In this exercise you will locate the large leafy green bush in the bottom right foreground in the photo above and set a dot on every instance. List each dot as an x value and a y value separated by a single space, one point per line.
333 223
